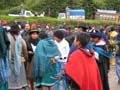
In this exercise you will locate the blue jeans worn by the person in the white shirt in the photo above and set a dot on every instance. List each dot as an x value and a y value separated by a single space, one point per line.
60 70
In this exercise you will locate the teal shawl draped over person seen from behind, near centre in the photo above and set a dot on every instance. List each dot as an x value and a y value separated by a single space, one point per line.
45 50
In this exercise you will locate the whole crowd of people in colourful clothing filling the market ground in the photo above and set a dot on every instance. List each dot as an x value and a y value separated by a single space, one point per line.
36 58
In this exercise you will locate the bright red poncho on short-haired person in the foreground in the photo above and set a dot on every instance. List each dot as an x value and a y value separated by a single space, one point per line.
82 68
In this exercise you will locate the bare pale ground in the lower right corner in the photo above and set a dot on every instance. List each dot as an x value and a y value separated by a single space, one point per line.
113 79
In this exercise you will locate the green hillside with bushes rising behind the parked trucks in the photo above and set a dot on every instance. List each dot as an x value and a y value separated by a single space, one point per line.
57 6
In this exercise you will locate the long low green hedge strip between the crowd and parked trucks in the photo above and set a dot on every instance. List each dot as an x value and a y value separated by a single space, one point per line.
56 22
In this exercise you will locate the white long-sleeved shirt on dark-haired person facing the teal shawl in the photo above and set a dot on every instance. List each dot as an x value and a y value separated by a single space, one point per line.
64 49
